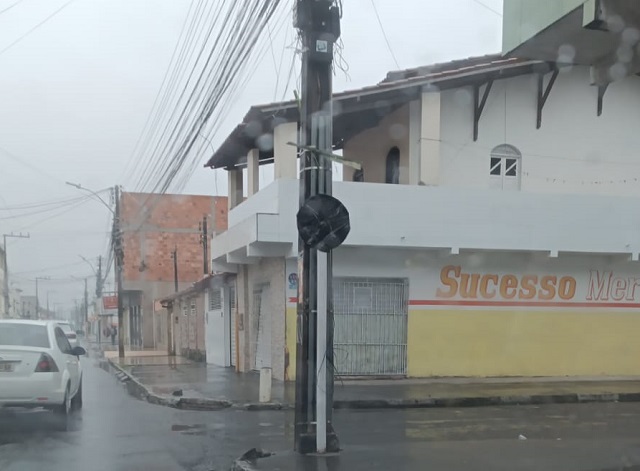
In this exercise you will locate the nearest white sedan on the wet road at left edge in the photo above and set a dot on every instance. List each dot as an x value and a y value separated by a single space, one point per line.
38 366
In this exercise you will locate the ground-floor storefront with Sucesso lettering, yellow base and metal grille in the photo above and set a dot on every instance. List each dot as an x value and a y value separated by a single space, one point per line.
428 313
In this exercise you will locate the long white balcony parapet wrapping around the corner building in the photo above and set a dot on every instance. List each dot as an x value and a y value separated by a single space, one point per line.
439 218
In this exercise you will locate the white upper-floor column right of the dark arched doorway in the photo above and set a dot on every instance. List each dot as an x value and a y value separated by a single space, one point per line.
430 139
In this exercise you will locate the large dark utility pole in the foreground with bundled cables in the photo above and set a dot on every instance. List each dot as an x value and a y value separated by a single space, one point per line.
319 24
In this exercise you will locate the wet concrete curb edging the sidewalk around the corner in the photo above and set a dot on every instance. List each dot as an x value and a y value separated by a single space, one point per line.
136 389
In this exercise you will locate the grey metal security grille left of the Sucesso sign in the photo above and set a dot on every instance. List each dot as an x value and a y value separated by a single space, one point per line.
370 333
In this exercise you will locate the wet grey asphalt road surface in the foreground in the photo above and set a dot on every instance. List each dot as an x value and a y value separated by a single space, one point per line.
115 432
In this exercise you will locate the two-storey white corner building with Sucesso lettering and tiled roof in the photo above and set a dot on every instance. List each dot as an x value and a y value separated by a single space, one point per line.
495 232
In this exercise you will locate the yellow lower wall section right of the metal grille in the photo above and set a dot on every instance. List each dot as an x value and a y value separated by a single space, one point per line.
523 343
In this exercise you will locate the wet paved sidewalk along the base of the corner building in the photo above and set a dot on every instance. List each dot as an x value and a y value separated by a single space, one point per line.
165 376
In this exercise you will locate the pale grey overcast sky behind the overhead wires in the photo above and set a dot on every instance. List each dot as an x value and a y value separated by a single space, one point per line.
76 91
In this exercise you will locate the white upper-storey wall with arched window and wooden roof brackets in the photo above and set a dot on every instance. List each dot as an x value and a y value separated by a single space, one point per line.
574 151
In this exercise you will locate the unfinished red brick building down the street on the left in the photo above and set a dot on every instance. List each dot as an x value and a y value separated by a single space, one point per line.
154 226
